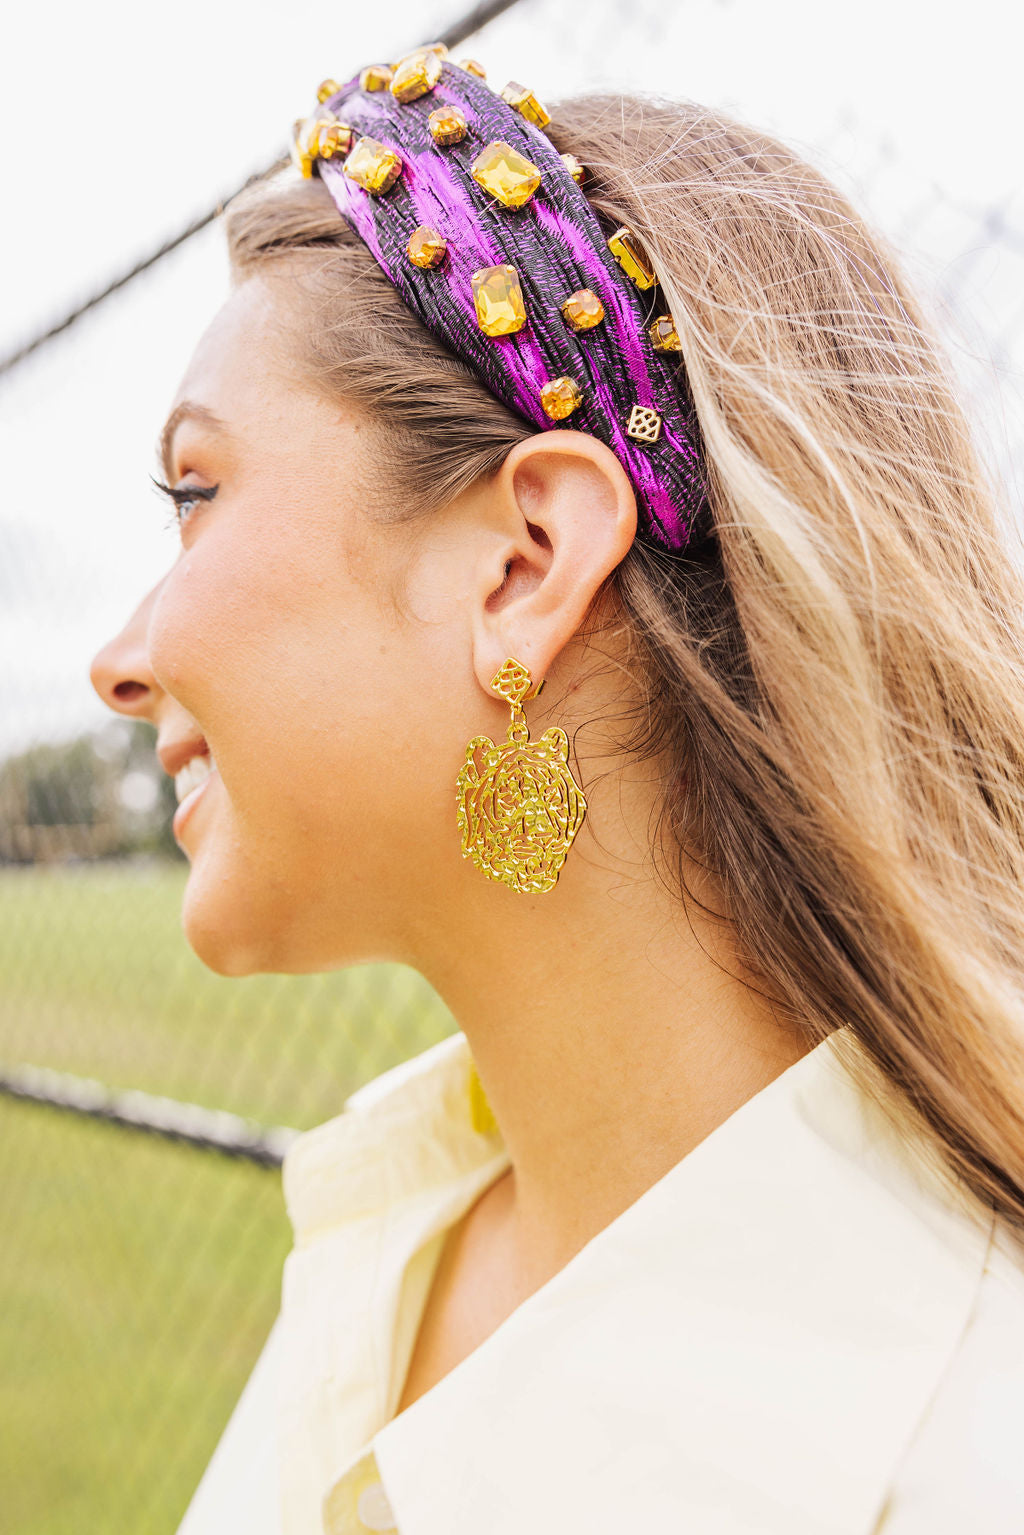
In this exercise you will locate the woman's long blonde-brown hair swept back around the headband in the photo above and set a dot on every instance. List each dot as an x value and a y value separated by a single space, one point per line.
836 668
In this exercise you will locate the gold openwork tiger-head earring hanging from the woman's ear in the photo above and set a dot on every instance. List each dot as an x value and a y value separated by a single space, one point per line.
520 805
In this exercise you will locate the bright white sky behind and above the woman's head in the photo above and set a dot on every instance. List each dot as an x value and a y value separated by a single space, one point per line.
125 122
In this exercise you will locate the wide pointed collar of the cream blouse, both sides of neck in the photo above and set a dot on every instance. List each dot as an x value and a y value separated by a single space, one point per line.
747 1348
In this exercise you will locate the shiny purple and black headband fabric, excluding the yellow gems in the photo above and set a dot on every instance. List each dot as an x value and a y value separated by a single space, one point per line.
558 246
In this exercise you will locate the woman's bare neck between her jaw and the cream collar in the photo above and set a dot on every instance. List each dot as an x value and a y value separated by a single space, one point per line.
609 1025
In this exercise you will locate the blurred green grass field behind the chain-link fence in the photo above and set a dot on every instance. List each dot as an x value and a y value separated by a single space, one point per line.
139 1278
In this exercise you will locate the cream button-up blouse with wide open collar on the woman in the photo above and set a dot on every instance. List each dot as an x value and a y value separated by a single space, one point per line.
799 1330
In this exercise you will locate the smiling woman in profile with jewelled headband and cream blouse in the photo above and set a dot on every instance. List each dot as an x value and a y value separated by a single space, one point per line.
725 1233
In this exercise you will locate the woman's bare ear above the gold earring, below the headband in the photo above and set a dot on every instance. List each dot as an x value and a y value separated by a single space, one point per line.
564 515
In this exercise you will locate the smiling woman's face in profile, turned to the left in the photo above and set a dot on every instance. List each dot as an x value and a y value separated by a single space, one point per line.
328 828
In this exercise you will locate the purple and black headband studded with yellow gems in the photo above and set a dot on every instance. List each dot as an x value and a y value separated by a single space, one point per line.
483 228
